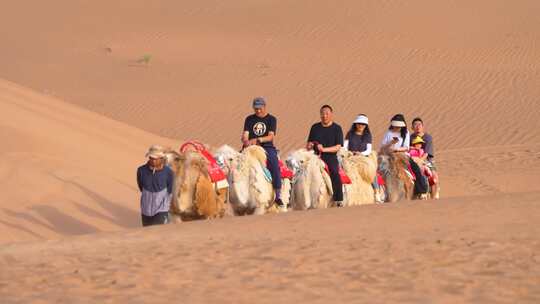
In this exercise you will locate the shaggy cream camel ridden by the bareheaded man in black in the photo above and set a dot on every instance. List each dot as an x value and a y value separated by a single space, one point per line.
311 187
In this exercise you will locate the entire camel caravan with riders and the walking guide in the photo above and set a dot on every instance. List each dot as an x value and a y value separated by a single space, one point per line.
331 171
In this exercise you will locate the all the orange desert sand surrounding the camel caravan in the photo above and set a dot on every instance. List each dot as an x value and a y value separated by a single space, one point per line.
87 86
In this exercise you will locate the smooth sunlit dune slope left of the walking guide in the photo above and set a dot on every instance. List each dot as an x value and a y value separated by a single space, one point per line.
65 170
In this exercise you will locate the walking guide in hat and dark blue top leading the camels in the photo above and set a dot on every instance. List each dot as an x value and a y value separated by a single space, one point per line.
155 181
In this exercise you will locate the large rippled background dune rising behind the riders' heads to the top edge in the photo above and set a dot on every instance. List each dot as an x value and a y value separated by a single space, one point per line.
468 68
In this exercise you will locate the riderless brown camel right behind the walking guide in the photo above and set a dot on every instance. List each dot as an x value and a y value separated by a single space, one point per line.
194 195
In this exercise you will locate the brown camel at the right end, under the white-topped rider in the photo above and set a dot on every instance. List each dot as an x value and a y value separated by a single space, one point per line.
394 170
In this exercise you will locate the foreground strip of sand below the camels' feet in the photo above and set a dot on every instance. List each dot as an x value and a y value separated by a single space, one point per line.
476 250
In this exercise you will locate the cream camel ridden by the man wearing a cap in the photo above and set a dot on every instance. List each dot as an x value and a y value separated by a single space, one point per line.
250 187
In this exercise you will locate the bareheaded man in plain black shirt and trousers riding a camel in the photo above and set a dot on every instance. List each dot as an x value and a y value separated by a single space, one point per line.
326 138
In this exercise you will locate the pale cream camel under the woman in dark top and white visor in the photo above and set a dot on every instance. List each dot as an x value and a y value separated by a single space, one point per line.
362 171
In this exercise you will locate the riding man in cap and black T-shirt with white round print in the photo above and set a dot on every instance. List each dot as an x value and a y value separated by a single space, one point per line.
260 129
